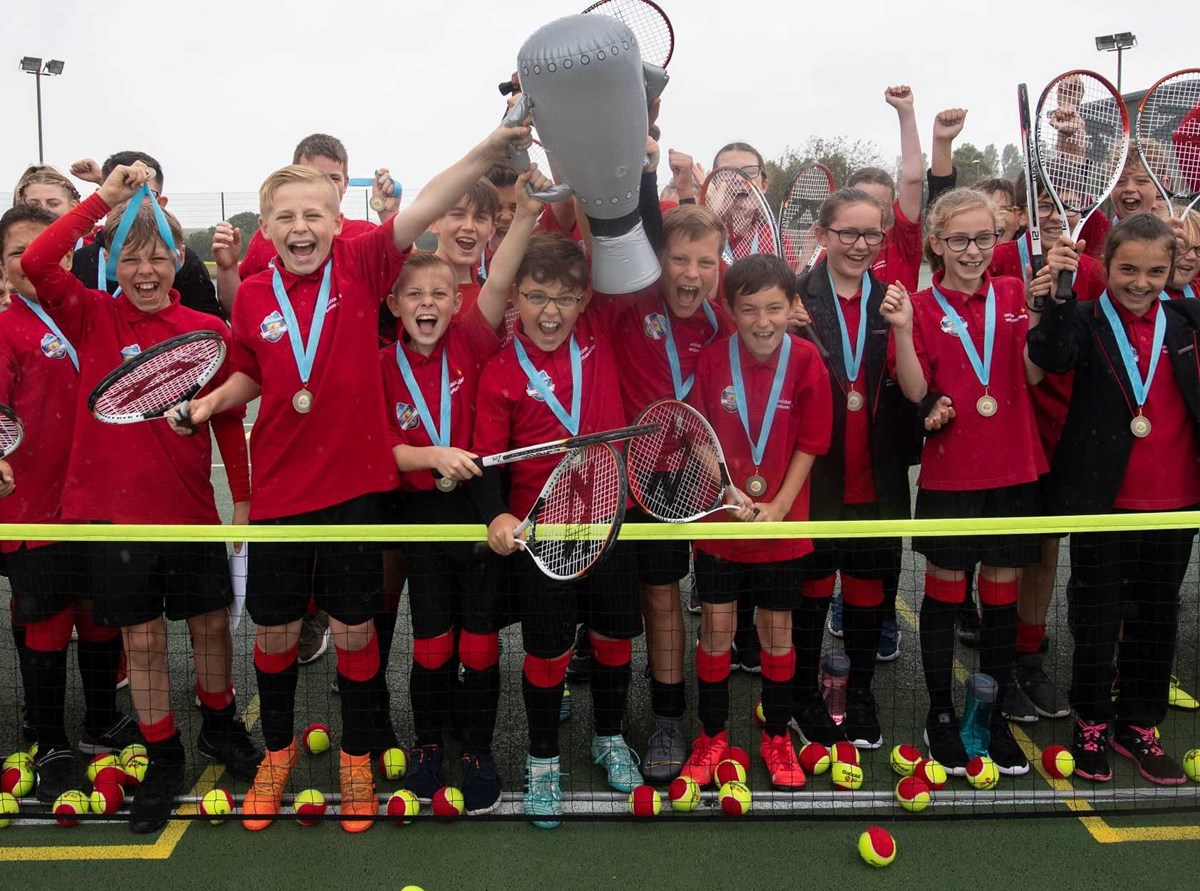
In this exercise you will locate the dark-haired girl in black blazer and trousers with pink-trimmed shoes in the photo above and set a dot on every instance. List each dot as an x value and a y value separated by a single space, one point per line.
1130 445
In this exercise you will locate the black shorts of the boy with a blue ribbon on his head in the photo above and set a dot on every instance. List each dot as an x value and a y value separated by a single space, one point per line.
137 582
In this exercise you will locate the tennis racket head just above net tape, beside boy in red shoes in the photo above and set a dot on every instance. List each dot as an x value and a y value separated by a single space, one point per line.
679 474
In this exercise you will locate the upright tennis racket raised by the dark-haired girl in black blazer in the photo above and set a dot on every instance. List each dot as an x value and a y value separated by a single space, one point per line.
1082 130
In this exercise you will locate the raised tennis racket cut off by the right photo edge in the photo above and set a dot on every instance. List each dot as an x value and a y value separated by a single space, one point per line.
1168 139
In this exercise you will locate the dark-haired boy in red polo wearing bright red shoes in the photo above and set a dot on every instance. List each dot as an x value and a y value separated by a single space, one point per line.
767 396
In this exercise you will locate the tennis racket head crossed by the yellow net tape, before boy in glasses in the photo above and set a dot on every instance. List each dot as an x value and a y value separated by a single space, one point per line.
575 519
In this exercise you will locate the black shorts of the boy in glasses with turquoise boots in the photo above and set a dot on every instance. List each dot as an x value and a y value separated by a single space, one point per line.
607 600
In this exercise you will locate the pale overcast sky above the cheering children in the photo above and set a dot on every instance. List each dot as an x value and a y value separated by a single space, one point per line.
221 92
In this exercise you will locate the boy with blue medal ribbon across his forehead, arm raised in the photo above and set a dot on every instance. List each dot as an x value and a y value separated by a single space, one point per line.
137 584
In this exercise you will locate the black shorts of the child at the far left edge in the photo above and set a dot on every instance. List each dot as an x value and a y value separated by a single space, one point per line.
47 581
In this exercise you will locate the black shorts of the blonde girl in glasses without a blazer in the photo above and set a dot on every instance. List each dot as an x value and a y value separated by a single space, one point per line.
963 553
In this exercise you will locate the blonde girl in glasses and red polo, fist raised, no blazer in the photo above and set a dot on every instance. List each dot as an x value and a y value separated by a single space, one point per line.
965 339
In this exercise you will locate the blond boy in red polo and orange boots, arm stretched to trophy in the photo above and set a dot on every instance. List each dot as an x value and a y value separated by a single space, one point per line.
305 339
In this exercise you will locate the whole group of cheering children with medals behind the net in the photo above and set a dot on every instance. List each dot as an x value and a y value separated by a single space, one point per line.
383 373
